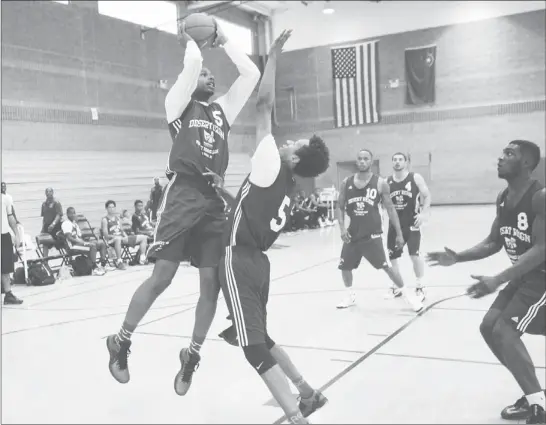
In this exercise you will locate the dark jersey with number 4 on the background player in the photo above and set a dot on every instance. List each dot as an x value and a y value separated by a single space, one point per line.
406 200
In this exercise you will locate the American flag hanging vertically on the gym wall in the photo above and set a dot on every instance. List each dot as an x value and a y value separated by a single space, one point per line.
355 71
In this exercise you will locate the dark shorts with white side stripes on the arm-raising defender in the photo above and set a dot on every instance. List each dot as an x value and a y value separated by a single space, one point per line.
244 277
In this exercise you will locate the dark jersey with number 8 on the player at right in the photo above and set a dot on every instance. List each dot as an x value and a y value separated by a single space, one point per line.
516 224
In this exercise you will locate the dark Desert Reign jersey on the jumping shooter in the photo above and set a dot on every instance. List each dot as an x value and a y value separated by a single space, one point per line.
199 140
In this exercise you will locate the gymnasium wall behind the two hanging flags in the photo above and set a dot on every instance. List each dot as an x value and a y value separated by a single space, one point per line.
489 89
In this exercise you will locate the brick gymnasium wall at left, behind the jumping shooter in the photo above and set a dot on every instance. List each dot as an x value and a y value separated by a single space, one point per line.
59 61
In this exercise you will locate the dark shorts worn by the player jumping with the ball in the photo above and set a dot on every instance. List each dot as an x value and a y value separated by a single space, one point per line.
190 224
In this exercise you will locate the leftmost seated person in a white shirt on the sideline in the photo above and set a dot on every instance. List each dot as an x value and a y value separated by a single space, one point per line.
76 244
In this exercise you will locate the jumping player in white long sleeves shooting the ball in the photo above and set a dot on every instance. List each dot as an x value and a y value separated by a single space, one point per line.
191 217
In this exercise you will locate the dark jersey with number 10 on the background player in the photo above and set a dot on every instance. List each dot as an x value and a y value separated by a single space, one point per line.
362 207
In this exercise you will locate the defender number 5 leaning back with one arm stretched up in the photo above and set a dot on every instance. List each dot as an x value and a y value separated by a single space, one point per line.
255 222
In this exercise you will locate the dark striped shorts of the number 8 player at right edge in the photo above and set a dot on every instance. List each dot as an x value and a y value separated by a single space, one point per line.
524 305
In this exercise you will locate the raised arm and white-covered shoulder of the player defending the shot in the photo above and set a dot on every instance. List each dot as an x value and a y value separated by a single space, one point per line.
266 162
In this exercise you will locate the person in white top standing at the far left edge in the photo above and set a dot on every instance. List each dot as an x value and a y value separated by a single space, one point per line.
8 221
